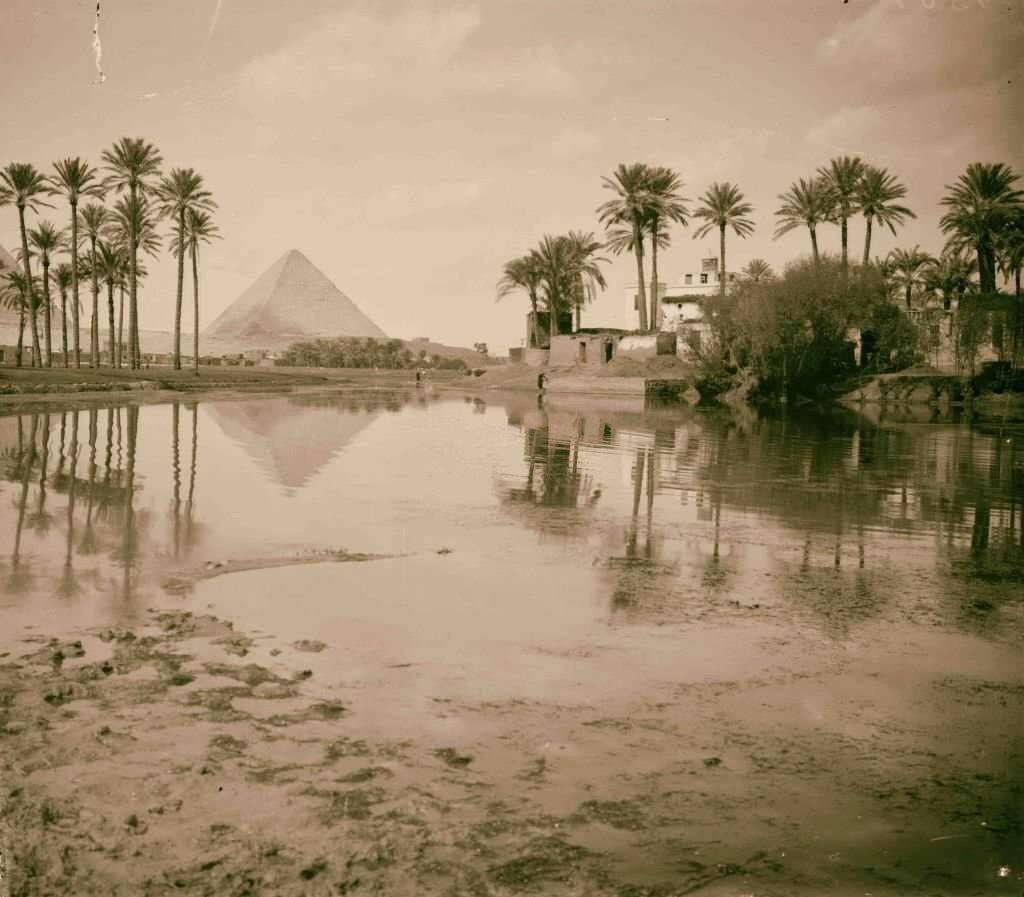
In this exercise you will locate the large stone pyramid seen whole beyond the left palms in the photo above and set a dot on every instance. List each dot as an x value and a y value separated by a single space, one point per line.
291 301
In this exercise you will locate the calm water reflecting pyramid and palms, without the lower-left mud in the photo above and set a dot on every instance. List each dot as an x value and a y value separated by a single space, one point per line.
789 646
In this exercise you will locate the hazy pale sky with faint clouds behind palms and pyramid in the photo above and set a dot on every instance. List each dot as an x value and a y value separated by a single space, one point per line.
411 149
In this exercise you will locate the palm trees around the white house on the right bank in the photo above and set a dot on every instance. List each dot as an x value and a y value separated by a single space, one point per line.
984 223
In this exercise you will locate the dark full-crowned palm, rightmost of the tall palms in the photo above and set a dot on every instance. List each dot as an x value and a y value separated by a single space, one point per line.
979 204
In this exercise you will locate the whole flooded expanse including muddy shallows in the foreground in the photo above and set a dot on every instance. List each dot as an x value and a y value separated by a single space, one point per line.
411 644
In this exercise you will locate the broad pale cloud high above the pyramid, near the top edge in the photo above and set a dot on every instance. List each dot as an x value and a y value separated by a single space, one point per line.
362 57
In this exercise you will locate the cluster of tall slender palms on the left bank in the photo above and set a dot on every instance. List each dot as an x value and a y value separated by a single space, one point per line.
114 215
